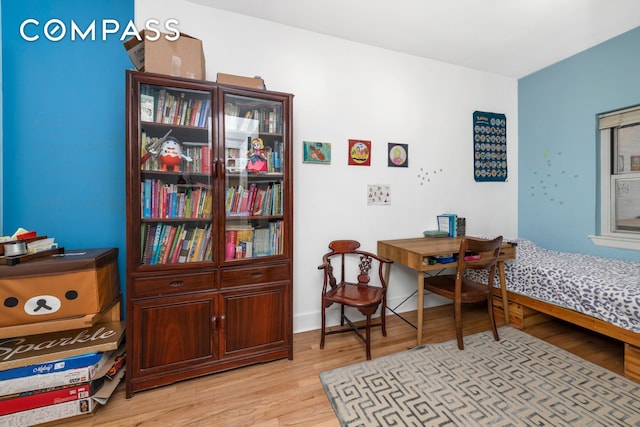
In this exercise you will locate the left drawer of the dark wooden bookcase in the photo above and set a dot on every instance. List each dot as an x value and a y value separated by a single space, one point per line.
170 284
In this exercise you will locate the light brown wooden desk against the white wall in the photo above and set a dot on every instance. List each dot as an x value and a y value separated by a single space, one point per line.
414 252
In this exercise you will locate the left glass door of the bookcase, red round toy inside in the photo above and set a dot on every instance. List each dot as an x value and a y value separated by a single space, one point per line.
175 175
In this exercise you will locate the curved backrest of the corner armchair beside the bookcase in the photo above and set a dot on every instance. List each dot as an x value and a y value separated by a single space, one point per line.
354 265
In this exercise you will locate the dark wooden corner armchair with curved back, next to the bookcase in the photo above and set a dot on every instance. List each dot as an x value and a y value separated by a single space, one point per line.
353 287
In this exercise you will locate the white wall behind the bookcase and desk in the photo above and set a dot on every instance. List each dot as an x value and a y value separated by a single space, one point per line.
348 90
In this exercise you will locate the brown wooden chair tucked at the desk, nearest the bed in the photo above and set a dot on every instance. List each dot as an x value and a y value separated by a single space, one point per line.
464 290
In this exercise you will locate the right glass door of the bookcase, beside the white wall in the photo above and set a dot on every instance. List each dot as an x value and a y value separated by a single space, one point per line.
254 156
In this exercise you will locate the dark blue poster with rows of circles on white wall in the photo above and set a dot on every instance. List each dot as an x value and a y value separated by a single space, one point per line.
489 146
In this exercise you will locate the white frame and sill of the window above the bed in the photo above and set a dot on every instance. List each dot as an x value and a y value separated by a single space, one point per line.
607 235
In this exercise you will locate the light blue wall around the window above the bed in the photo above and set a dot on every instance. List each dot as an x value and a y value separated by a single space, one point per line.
557 110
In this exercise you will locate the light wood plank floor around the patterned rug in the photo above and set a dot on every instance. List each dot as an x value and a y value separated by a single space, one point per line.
287 393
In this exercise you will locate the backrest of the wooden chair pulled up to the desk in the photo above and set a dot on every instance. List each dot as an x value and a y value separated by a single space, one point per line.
489 250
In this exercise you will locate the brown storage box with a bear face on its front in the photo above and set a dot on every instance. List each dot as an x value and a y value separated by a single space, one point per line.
77 283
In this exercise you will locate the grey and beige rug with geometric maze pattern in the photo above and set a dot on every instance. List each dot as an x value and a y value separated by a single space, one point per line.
517 381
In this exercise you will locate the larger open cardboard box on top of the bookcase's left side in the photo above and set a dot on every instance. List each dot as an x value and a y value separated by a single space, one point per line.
180 58
